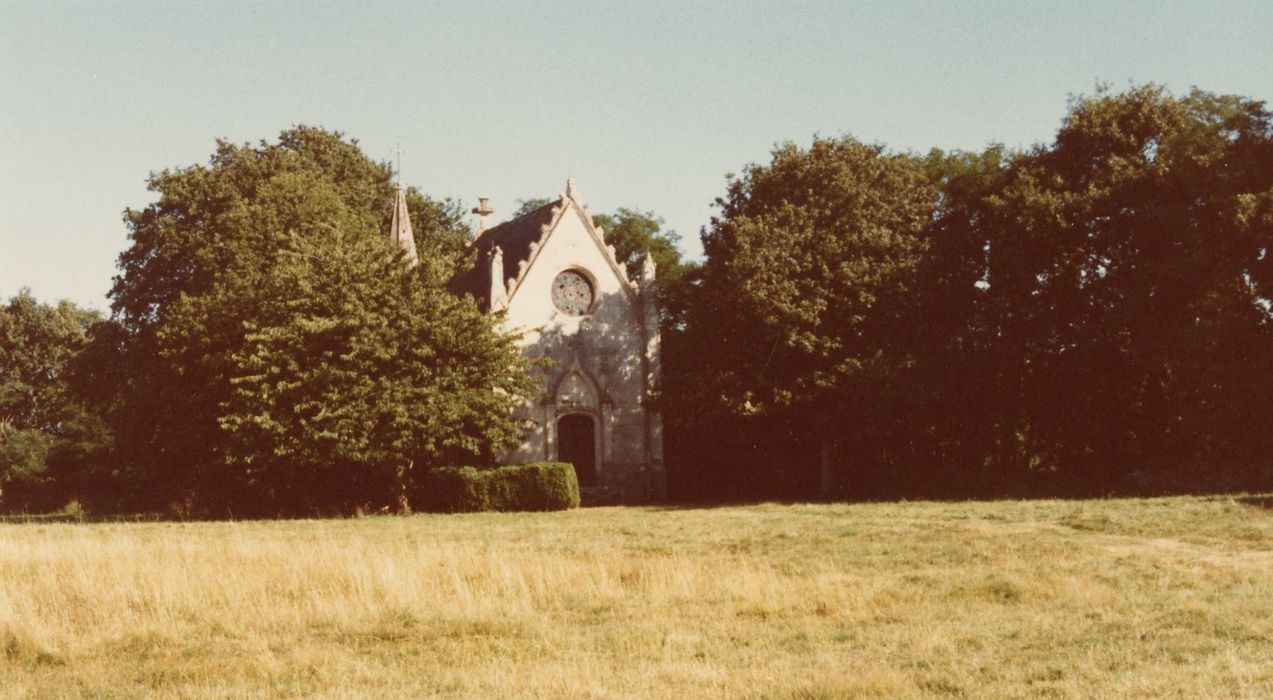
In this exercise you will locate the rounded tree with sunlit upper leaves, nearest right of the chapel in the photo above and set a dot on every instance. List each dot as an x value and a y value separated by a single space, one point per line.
806 270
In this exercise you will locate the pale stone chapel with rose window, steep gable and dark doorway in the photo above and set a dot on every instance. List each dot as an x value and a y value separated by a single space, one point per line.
556 282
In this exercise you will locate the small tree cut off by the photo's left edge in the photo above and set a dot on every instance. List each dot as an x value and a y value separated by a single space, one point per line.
44 430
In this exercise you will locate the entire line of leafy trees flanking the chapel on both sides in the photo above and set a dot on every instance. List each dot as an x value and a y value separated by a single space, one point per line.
1089 315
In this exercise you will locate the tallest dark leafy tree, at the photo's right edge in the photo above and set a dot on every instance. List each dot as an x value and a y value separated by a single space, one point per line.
1127 284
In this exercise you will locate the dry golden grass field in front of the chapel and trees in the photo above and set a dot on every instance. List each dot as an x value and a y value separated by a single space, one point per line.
1108 599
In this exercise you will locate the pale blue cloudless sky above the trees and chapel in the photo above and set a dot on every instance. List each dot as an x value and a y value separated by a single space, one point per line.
647 104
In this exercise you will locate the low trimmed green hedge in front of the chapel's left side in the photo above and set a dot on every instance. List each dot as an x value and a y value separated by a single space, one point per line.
535 487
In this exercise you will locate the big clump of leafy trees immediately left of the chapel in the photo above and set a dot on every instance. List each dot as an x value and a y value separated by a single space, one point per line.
262 284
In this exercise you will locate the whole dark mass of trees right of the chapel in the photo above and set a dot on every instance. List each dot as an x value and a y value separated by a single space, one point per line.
1087 318
